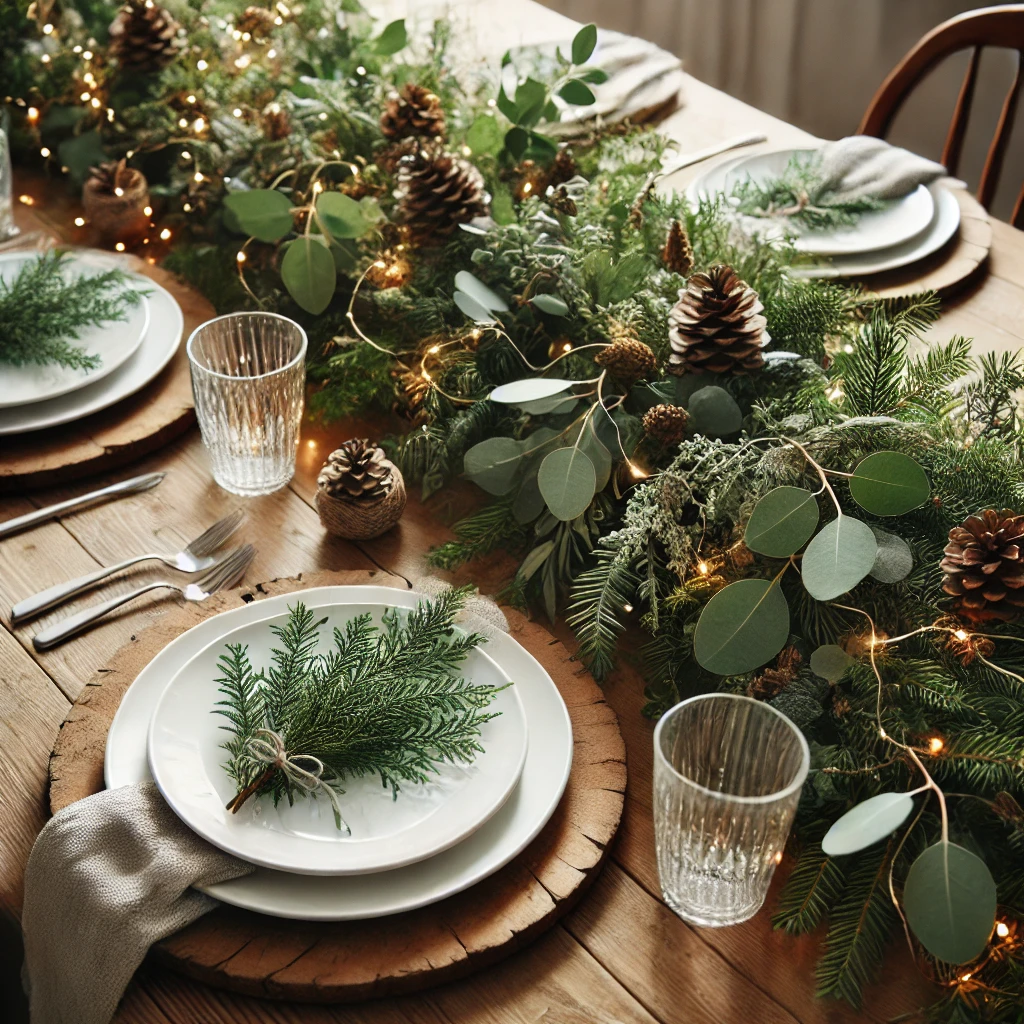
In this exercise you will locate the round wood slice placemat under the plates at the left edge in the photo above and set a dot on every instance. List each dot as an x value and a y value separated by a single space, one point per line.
127 431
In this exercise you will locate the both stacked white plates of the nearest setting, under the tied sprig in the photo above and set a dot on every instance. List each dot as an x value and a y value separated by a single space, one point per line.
434 841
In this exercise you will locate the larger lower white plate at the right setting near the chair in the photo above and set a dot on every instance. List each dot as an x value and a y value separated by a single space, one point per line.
943 228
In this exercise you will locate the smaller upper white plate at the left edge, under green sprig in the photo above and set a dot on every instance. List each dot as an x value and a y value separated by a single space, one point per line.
114 343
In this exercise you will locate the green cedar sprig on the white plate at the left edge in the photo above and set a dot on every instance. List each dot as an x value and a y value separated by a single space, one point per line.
44 311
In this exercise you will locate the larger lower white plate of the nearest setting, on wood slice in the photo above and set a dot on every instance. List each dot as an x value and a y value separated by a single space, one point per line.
308 898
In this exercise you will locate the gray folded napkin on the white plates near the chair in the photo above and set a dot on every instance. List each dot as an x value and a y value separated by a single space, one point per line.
861 166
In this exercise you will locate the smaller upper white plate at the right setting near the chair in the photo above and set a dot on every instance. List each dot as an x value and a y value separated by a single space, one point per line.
898 223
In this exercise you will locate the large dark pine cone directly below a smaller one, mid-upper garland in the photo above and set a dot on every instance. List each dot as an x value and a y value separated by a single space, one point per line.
439 194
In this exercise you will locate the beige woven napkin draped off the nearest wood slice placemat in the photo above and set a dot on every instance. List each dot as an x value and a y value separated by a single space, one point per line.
108 877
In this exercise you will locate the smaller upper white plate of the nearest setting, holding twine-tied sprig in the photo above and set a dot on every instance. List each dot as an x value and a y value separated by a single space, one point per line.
187 758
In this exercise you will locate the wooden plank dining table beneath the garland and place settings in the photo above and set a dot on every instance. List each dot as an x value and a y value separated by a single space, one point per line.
621 956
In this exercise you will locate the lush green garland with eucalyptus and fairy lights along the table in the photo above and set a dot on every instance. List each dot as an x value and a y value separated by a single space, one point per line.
497 345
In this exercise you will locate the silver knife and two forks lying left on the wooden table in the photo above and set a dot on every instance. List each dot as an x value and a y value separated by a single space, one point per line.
200 560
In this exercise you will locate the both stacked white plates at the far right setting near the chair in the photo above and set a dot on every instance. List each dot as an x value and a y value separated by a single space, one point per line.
905 232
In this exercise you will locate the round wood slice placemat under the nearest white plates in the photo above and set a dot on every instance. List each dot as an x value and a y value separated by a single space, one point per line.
347 962
